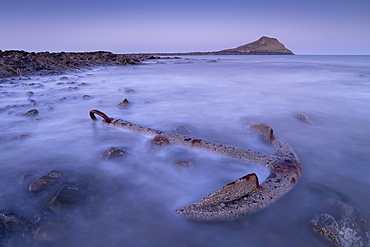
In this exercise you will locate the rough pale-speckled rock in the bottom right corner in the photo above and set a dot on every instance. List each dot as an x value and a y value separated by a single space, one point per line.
352 228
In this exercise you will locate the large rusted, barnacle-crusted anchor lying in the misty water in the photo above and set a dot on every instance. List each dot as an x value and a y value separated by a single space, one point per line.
244 195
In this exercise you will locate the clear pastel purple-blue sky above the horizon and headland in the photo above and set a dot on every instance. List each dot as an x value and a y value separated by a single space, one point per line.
139 26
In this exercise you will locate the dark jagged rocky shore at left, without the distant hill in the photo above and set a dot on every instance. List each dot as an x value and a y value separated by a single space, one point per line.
22 63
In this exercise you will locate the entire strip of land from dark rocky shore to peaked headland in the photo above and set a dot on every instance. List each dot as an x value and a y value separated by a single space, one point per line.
21 63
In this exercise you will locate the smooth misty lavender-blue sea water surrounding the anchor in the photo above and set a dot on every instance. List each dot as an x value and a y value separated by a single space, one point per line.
132 201
